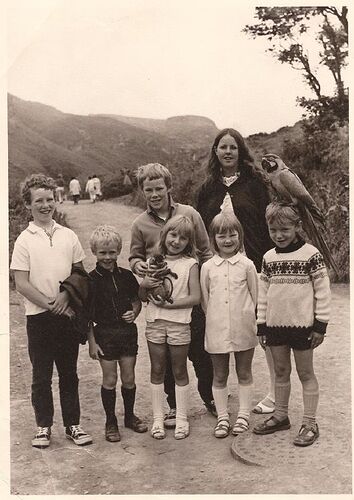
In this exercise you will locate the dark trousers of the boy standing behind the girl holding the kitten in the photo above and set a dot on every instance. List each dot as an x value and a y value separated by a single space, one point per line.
200 358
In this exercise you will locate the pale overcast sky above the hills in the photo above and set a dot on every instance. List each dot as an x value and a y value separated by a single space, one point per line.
151 58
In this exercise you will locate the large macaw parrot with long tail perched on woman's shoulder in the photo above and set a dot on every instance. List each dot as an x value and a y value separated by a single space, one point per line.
288 187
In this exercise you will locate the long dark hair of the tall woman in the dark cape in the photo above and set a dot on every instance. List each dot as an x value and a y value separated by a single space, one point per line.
246 163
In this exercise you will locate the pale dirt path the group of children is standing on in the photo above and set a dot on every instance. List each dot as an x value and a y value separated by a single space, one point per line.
200 464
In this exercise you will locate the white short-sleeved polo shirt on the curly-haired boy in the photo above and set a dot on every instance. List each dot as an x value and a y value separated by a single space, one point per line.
48 261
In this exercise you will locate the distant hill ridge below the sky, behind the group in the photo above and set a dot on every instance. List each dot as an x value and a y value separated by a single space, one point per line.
44 139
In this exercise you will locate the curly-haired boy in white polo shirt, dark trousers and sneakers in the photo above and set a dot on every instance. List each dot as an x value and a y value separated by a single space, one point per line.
43 256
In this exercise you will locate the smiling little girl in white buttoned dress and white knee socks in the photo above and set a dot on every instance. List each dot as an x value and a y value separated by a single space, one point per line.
229 299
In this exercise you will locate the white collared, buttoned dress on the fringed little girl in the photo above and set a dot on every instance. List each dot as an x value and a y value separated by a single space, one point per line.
229 298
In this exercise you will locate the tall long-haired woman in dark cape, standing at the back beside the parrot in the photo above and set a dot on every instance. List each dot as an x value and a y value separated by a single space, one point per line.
235 185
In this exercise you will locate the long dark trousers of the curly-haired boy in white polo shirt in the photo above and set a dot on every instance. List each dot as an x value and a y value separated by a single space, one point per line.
51 340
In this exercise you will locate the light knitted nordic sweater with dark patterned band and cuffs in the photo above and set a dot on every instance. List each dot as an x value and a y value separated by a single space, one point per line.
294 290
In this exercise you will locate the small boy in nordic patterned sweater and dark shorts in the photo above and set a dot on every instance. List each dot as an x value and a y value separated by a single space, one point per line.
293 313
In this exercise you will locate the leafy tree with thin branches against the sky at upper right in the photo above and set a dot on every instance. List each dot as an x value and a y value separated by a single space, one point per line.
286 27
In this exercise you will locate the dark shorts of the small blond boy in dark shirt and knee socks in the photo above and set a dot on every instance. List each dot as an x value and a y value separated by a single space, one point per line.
117 342
